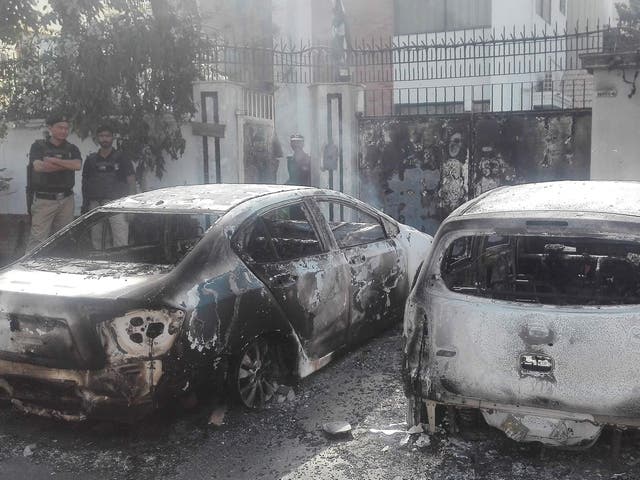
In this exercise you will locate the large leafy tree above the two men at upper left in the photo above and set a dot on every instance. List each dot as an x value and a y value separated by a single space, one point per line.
131 62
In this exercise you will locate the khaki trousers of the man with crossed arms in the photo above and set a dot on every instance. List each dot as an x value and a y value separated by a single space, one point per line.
47 217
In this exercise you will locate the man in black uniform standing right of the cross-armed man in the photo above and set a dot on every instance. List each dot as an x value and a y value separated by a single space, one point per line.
107 175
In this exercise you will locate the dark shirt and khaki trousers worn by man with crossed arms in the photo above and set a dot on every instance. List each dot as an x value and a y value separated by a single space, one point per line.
53 203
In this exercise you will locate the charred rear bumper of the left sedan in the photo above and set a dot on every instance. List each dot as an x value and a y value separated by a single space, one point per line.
123 392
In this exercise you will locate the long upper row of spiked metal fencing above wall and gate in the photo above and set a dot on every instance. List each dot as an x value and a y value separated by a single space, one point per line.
429 56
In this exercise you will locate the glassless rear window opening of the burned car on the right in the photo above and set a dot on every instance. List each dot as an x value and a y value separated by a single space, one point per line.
547 270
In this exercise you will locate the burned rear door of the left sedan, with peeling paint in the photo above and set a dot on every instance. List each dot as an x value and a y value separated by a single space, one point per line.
309 281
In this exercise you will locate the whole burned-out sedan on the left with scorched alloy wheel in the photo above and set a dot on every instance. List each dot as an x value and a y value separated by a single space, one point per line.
217 286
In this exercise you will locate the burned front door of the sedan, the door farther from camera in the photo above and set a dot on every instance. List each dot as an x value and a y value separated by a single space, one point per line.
378 280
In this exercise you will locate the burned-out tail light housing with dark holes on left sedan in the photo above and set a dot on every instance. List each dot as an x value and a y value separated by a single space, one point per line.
141 333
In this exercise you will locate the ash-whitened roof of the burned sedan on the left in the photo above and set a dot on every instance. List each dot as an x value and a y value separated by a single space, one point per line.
213 197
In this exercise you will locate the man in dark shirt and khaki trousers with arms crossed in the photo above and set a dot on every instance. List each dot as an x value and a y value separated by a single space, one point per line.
51 170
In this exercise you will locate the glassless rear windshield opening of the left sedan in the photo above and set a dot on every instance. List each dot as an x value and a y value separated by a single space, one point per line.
133 237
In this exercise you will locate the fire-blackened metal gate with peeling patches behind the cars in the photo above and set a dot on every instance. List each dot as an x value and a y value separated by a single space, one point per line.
420 168
